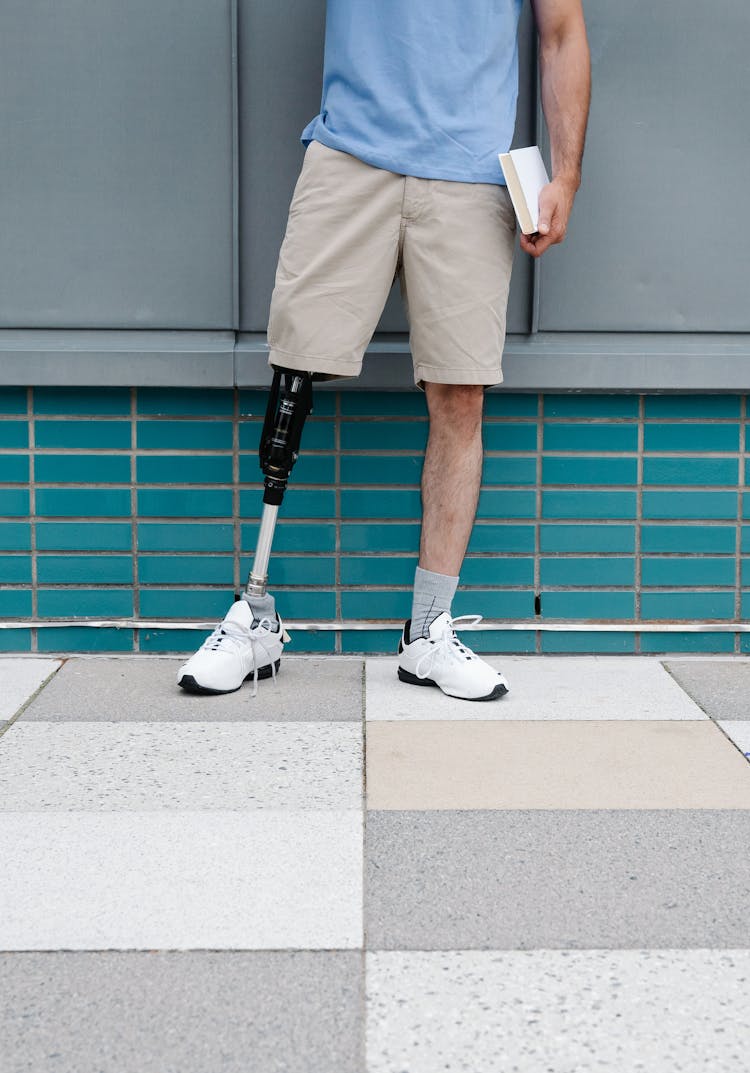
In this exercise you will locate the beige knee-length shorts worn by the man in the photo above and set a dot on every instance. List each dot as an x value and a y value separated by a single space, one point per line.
354 229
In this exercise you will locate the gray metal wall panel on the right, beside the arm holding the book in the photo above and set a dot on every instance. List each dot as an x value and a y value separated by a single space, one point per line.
659 239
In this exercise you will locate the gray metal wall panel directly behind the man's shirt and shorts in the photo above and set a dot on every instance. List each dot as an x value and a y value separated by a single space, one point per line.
281 85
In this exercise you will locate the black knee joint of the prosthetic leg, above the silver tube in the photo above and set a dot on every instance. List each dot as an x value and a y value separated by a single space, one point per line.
289 405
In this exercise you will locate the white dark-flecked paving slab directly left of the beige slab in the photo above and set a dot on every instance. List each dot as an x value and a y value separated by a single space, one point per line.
149 767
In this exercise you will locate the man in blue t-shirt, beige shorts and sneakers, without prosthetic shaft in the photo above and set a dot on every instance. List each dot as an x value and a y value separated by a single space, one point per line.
402 178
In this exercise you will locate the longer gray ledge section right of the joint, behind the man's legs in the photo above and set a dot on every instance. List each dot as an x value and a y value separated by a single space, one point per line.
554 362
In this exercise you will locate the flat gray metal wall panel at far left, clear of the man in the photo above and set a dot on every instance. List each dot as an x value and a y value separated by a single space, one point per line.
116 165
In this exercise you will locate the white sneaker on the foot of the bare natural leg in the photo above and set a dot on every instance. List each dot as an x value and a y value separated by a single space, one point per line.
444 662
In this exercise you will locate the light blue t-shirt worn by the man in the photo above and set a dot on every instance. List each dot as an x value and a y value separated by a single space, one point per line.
421 87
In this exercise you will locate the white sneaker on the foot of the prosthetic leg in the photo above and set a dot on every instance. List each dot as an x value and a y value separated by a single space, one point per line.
234 652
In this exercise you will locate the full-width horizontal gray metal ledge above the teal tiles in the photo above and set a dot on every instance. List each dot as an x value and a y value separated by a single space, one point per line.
543 362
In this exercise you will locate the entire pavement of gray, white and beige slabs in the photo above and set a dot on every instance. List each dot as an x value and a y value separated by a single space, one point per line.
349 874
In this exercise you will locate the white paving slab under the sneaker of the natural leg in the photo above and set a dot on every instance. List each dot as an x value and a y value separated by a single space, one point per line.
541 687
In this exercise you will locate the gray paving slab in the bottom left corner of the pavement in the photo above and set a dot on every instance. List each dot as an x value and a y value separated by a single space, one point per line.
183 1012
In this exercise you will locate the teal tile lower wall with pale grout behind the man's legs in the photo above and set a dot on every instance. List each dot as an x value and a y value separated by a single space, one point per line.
144 505
